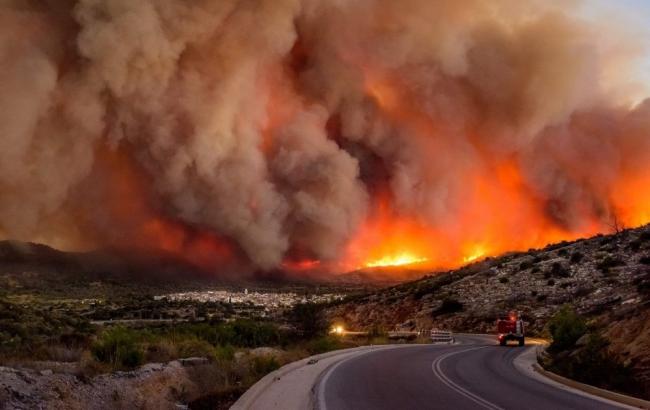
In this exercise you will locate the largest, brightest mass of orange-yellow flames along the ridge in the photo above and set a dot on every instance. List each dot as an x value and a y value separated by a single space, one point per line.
499 214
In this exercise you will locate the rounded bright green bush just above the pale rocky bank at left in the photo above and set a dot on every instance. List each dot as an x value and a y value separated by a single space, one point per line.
118 347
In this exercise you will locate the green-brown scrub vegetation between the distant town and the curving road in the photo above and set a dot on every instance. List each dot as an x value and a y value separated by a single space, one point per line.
32 332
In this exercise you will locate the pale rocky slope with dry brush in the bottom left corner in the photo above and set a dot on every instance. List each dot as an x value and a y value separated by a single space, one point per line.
179 384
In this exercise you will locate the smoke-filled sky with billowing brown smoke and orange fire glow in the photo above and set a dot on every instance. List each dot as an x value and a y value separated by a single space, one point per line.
324 134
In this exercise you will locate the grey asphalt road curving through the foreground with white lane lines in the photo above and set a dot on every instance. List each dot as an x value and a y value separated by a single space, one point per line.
476 374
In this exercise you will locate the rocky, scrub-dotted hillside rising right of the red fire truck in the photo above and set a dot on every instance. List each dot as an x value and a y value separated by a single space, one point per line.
606 278
